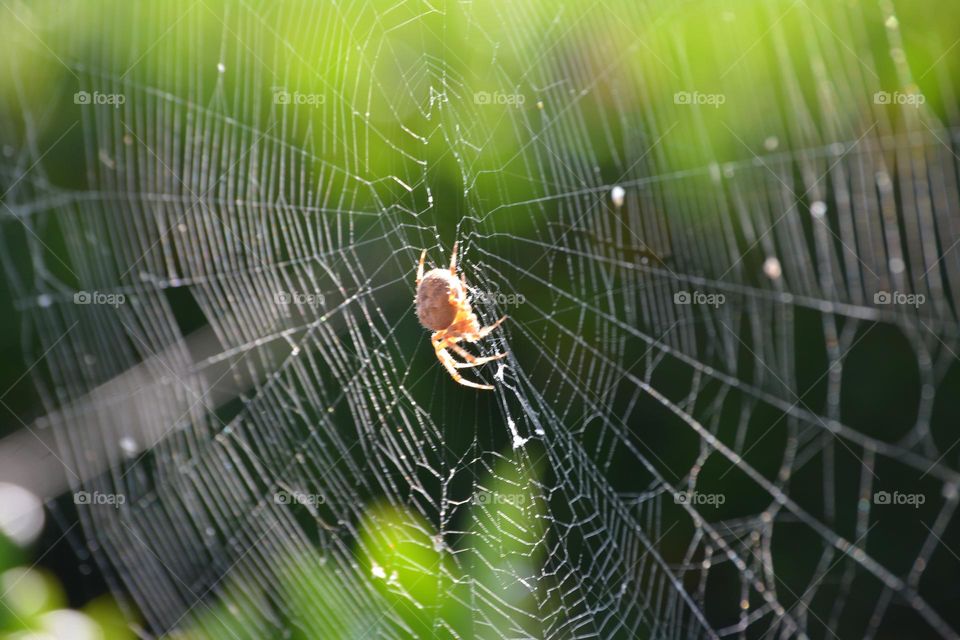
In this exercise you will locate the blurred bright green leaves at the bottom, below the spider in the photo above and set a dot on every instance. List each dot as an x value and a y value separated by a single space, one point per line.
417 575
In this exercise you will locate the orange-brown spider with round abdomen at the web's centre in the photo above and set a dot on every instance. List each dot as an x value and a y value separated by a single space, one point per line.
442 307
